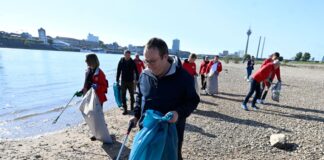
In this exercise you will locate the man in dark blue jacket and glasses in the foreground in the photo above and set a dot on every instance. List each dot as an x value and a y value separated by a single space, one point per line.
165 87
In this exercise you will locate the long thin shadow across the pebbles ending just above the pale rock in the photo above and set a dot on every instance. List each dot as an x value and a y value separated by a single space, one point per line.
230 119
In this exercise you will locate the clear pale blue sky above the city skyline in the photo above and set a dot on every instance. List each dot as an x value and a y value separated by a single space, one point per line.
206 26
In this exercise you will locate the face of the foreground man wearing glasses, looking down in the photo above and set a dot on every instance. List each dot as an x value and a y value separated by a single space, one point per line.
154 62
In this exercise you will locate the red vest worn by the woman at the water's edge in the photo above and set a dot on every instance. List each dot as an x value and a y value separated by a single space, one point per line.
98 78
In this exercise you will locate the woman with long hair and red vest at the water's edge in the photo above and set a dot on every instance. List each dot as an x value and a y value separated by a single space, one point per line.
94 78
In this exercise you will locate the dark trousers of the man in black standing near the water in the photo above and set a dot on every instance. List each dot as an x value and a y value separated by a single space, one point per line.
130 87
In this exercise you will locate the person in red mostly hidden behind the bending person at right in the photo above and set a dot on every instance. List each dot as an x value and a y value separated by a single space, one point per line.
264 90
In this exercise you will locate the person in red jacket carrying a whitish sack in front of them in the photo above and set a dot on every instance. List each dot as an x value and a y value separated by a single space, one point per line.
213 69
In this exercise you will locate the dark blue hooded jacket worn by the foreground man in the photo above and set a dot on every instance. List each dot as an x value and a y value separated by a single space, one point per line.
173 92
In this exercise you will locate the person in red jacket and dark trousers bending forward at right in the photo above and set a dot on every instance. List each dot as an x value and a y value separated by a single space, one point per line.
262 75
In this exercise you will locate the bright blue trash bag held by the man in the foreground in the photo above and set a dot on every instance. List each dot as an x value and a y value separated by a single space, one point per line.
157 139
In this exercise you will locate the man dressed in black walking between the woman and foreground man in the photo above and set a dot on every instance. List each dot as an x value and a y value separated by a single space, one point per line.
126 68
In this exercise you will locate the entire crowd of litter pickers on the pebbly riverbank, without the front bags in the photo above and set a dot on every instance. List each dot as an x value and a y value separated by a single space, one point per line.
165 84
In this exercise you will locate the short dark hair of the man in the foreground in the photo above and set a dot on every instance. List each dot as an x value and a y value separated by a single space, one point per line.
159 44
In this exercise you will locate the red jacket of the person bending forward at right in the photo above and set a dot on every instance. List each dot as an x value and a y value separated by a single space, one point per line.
264 73
